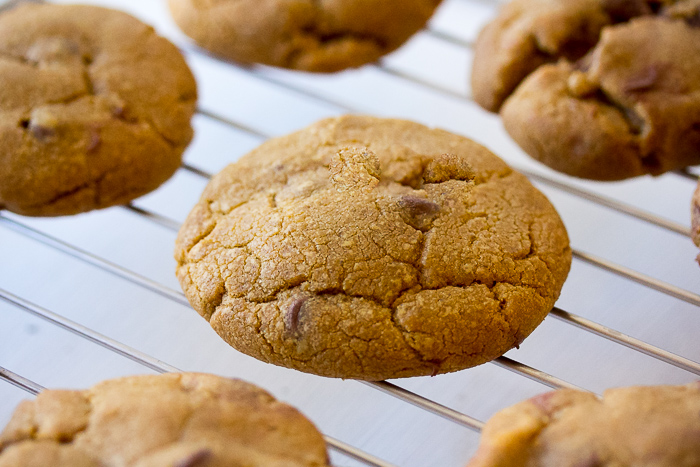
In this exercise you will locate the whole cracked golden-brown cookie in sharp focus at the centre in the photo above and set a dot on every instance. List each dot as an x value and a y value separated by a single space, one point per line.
372 249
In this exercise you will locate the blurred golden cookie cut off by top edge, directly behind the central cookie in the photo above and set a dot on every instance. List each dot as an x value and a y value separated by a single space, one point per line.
302 34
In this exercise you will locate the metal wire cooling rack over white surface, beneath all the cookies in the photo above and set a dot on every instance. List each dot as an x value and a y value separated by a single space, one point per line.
93 296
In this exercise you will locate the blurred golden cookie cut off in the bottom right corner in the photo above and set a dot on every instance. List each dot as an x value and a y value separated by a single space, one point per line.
649 426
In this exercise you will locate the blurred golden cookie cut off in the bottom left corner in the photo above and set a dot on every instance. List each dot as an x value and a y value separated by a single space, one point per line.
179 420
